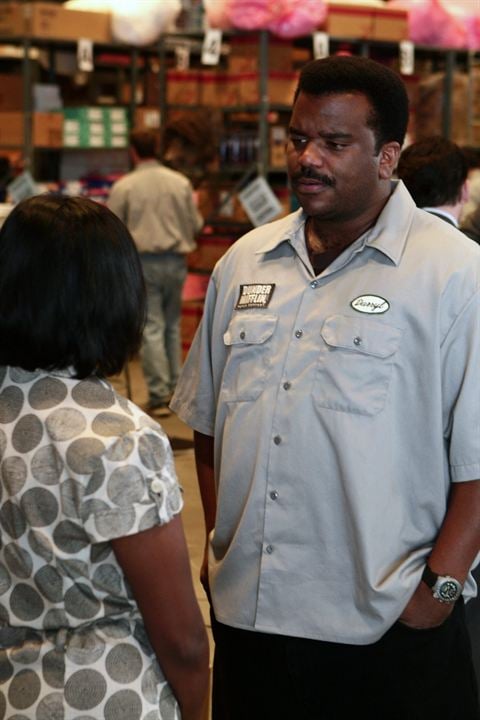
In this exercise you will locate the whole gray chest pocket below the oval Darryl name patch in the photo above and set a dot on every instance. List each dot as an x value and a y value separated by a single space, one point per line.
355 364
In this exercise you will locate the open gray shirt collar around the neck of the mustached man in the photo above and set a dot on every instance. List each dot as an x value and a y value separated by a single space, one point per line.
388 235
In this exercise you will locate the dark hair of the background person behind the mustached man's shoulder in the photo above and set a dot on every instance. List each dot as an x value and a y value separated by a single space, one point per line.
434 171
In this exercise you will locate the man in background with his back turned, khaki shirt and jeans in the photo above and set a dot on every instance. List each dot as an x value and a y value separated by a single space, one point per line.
157 205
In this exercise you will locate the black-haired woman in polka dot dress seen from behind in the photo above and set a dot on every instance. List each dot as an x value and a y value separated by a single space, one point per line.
98 616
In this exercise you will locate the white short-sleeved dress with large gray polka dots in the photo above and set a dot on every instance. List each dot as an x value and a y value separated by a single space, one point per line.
79 466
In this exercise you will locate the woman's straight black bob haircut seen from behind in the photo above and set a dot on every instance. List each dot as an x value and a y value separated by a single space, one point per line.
71 287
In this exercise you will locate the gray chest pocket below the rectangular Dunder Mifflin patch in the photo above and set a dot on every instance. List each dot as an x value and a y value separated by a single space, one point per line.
249 341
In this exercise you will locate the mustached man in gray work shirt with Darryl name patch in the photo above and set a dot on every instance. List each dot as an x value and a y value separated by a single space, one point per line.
333 387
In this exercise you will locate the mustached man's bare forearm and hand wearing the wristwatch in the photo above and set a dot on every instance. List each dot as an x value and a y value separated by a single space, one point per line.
457 544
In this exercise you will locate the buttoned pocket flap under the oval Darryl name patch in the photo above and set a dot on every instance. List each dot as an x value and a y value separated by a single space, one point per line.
364 335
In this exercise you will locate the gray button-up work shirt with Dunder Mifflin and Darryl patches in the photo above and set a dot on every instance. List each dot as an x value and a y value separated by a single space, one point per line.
342 406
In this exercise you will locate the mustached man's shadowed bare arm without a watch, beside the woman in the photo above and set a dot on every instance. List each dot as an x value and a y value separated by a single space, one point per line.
204 460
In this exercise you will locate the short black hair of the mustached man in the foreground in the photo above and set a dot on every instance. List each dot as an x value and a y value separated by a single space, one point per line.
382 86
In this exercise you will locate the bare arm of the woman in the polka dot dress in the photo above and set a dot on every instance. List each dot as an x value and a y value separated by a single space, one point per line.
157 567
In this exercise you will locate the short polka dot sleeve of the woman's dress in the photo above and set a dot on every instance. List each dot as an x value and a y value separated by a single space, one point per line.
136 487
